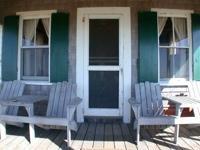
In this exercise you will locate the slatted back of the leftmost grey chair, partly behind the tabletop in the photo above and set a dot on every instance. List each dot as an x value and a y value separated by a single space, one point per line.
11 89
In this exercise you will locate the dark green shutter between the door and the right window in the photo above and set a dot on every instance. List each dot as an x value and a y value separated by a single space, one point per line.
148 47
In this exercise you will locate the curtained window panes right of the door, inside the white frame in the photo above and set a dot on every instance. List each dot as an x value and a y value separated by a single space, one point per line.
174 48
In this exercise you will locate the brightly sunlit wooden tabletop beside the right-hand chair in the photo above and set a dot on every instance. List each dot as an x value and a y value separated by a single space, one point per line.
184 101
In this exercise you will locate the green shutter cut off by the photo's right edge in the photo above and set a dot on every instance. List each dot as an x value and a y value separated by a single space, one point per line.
196 45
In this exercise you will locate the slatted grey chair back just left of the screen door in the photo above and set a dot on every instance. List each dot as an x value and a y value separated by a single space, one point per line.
61 95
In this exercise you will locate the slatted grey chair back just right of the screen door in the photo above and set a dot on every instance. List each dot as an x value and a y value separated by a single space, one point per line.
149 96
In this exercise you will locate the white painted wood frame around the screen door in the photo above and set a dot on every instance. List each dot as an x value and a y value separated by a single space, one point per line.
81 76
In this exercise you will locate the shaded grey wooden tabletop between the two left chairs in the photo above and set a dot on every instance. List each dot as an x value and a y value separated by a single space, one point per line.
23 100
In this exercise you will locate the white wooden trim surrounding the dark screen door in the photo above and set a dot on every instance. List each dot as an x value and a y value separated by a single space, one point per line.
124 13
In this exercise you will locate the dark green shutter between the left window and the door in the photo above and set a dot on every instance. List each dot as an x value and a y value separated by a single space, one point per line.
59 47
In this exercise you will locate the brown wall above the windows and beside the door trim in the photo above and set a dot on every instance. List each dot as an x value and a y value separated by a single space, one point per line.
10 7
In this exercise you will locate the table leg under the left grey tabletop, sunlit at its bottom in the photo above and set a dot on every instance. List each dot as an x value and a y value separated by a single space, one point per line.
31 126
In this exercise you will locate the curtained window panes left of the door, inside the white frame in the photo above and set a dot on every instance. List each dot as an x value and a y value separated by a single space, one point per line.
35 49
